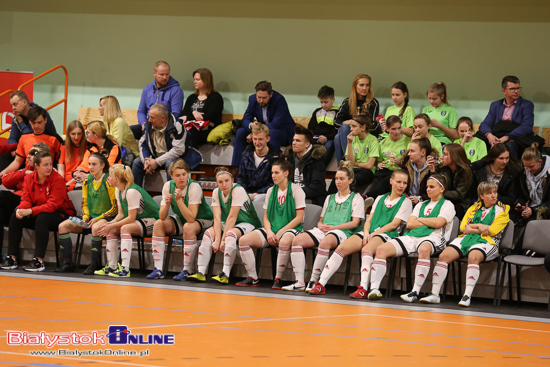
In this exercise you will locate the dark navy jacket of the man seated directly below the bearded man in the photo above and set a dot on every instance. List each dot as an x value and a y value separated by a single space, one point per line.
257 180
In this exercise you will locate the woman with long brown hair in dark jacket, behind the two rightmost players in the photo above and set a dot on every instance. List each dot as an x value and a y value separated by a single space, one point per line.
456 168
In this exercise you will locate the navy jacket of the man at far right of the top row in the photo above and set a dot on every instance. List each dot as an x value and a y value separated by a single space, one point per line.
523 115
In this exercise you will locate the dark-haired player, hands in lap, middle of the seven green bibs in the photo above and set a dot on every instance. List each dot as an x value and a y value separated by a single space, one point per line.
284 213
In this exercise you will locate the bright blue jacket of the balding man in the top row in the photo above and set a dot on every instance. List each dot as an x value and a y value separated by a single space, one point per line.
171 96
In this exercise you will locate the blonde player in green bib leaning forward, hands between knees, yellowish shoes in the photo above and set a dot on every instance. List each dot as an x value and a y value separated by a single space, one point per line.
234 216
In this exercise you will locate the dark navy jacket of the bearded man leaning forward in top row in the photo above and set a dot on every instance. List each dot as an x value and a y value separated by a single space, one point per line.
278 115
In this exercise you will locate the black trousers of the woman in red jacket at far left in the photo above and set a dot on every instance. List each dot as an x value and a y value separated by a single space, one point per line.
42 224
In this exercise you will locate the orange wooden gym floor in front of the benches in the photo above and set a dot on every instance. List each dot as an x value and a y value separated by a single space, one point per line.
231 326
